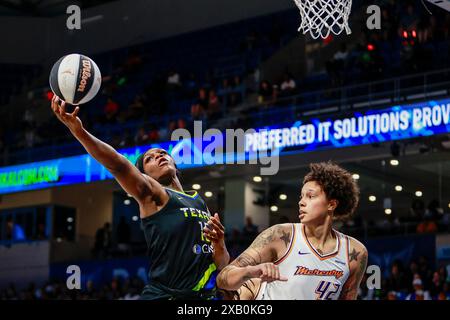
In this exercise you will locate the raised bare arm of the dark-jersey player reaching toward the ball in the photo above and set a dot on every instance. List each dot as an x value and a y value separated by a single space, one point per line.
128 176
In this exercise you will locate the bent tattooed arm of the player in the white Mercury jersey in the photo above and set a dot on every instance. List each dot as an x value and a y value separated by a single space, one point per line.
255 262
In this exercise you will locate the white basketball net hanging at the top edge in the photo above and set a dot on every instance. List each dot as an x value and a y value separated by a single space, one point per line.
320 17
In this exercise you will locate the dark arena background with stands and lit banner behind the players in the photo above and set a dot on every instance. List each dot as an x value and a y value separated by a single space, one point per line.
375 101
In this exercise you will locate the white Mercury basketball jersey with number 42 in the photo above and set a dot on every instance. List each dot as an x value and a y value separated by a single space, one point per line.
311 276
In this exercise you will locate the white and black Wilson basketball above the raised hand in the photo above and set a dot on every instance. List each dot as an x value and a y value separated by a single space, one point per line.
75 78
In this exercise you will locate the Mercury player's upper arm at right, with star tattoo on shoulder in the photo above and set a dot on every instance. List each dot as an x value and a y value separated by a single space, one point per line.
358 262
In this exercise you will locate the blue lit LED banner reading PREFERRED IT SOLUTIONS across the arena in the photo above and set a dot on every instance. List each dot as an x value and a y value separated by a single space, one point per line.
214 147
